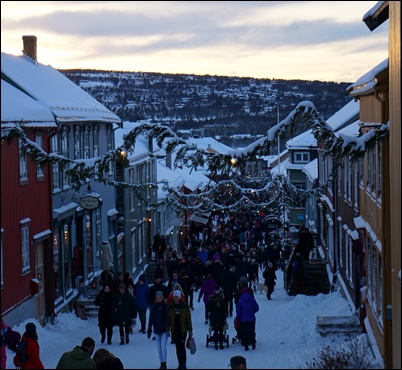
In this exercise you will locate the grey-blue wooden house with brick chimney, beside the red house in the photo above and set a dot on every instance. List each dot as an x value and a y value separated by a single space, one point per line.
81 218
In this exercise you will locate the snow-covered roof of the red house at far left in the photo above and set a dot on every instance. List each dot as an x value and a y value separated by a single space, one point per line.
19 107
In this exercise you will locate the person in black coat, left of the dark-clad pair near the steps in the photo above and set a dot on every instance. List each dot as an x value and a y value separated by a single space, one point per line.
104 300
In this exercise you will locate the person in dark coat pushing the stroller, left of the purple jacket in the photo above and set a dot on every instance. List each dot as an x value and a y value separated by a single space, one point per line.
217 316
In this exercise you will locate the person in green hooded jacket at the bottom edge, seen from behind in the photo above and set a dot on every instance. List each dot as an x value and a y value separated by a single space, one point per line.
79 357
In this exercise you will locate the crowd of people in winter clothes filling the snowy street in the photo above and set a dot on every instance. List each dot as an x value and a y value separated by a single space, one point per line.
219 263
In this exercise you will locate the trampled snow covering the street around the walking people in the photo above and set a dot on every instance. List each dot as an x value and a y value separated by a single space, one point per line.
286 335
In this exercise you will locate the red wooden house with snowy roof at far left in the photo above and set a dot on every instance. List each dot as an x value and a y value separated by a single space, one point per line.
26 211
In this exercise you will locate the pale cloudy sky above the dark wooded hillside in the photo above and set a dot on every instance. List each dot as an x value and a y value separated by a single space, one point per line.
316 40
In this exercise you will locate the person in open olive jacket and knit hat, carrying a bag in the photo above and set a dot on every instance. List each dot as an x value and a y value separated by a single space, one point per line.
178 322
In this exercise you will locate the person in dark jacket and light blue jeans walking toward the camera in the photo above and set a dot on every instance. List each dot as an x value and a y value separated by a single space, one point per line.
157 323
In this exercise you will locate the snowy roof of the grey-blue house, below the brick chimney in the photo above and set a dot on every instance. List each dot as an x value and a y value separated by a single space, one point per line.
67 101
